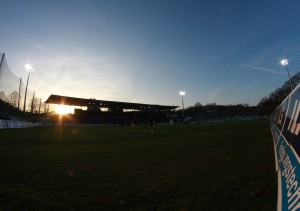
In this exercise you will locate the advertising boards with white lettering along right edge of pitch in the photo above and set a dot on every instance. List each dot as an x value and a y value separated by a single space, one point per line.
285 128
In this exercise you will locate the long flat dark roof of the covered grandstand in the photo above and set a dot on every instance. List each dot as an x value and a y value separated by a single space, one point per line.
73 101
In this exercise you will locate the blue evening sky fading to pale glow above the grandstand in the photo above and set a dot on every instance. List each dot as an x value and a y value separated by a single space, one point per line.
146 51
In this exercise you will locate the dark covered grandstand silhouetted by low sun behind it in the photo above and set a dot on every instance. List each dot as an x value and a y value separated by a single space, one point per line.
112 112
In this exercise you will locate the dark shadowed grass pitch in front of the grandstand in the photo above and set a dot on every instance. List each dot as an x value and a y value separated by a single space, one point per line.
217 166
